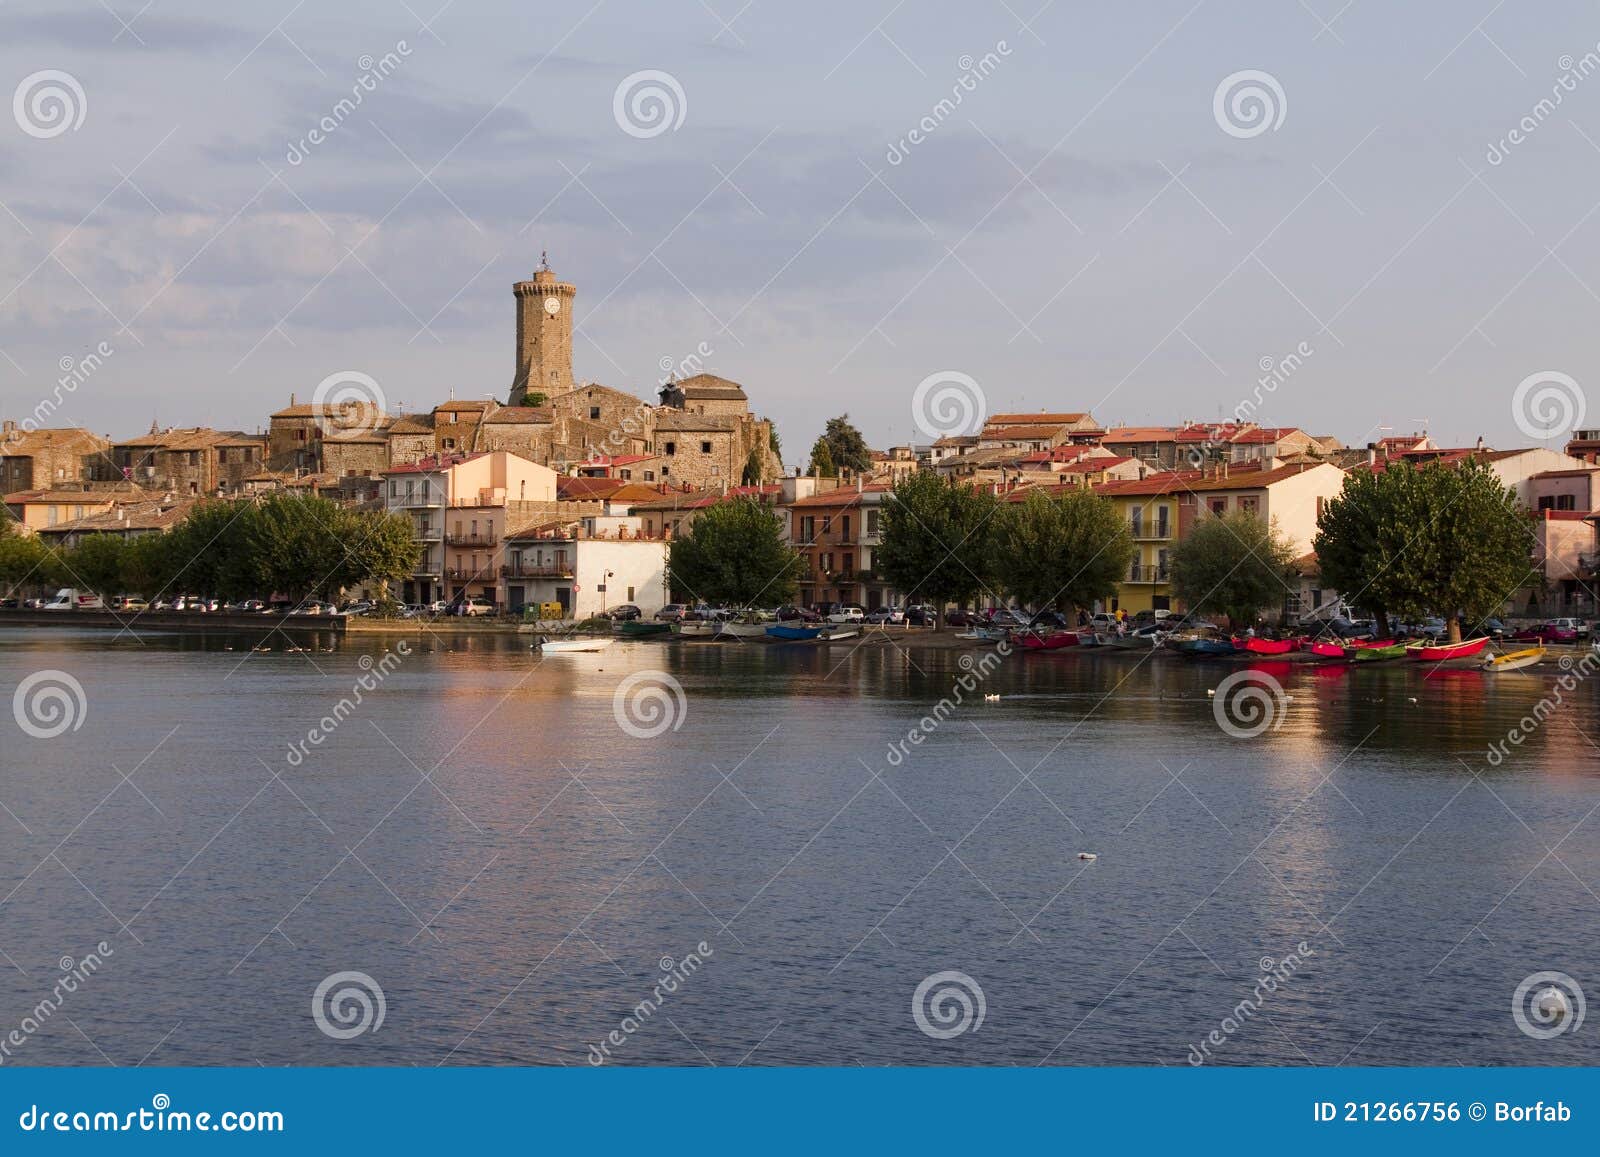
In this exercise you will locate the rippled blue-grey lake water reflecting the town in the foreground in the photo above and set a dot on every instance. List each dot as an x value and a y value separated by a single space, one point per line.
511 868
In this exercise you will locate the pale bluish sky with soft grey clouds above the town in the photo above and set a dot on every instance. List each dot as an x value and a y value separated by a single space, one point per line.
1094 226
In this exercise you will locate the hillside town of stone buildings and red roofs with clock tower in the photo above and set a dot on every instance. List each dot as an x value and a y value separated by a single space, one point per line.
569 494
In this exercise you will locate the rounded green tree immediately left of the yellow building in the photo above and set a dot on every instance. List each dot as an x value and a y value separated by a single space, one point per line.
1062 553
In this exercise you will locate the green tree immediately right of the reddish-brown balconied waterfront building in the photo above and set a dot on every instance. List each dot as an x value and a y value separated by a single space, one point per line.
937 540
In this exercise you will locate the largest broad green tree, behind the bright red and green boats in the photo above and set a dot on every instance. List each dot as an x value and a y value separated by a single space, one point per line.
1441 540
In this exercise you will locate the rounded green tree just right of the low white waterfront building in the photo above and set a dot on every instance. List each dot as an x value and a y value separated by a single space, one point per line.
735 554
